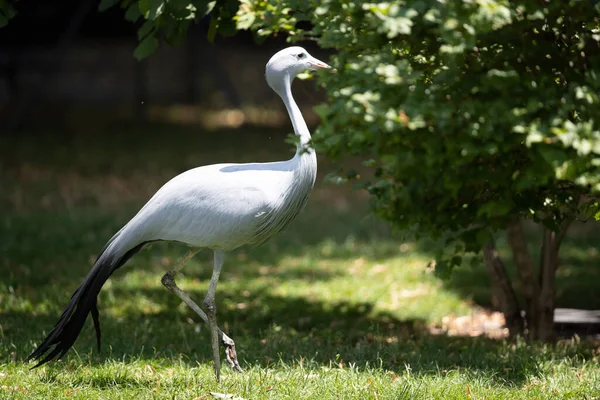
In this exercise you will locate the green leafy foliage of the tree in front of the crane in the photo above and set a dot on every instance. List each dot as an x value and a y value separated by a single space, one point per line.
469 113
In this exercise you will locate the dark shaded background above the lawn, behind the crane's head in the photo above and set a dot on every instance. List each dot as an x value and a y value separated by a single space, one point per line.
64 59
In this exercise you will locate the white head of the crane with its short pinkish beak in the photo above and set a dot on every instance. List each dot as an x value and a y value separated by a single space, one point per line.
286 64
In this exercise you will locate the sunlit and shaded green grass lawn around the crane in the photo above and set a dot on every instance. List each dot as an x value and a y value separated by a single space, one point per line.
335 307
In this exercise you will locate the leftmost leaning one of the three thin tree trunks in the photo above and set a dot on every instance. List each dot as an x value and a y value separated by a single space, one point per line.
502 289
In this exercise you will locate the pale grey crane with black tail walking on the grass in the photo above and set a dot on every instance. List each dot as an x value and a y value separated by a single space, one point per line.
220 207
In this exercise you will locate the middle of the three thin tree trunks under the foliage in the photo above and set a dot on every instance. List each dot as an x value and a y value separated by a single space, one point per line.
527 275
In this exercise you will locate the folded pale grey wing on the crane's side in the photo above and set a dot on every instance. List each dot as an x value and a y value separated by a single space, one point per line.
217 206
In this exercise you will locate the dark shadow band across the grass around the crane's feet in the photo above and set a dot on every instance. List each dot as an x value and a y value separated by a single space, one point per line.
346 335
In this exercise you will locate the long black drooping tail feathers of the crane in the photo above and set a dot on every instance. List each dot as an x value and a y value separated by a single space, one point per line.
83 302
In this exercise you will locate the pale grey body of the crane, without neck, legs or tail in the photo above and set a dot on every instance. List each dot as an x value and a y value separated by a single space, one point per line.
224 206
